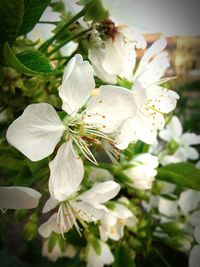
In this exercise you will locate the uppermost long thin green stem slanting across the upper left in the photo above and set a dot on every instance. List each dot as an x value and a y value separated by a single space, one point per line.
46 44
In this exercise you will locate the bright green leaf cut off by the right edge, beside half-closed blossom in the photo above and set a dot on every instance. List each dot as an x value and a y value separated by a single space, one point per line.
183 174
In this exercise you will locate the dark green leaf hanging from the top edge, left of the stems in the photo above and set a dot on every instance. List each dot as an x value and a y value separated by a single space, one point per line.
33 10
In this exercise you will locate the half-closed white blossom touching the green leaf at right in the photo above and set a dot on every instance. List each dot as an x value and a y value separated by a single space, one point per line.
143 172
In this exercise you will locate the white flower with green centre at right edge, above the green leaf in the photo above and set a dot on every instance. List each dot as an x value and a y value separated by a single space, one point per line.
179 146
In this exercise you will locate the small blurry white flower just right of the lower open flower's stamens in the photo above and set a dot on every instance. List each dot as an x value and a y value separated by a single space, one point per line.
113 223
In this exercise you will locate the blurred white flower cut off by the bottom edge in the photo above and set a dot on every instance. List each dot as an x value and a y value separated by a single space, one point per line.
95 259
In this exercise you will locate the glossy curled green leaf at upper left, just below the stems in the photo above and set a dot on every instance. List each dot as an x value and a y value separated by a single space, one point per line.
28 62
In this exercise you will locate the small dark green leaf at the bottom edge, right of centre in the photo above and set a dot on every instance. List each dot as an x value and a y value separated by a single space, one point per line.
123 258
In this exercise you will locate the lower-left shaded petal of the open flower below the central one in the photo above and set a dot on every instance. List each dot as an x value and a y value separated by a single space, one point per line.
50 226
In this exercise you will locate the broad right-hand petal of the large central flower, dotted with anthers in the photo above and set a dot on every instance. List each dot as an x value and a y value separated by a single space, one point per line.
107 110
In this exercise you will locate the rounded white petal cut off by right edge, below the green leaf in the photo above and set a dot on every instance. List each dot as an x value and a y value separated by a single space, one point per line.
189 200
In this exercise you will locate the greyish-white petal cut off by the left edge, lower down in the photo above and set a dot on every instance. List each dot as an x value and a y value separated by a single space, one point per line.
18 197
